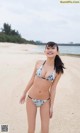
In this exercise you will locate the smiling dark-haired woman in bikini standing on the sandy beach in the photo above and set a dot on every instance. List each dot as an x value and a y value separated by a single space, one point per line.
42 88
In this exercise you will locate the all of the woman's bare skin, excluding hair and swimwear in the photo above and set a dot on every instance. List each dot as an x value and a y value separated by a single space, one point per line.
39 88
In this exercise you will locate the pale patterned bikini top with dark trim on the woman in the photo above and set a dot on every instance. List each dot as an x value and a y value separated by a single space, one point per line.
51 77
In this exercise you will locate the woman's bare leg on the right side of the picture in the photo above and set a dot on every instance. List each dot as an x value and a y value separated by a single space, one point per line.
44 113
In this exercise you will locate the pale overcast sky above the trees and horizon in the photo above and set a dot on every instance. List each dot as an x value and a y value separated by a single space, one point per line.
44 20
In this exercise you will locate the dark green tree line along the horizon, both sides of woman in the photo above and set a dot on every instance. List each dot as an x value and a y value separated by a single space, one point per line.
8 34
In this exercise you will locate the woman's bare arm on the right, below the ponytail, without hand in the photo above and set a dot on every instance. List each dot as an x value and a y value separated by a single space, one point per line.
53 90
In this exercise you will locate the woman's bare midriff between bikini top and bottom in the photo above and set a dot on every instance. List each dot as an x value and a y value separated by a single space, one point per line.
39 89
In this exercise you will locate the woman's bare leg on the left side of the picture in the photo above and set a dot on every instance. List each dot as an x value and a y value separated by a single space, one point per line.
31 115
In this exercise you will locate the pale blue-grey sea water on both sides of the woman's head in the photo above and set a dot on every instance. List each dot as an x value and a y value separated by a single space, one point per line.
62 49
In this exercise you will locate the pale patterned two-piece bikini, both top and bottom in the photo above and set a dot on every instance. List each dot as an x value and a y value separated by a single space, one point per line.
51 77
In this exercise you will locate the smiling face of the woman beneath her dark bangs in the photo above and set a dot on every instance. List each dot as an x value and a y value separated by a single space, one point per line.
51 51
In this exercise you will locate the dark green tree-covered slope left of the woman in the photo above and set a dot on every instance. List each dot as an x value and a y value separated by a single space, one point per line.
9 35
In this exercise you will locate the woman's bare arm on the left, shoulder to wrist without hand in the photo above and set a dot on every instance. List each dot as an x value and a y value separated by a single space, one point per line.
31 80
